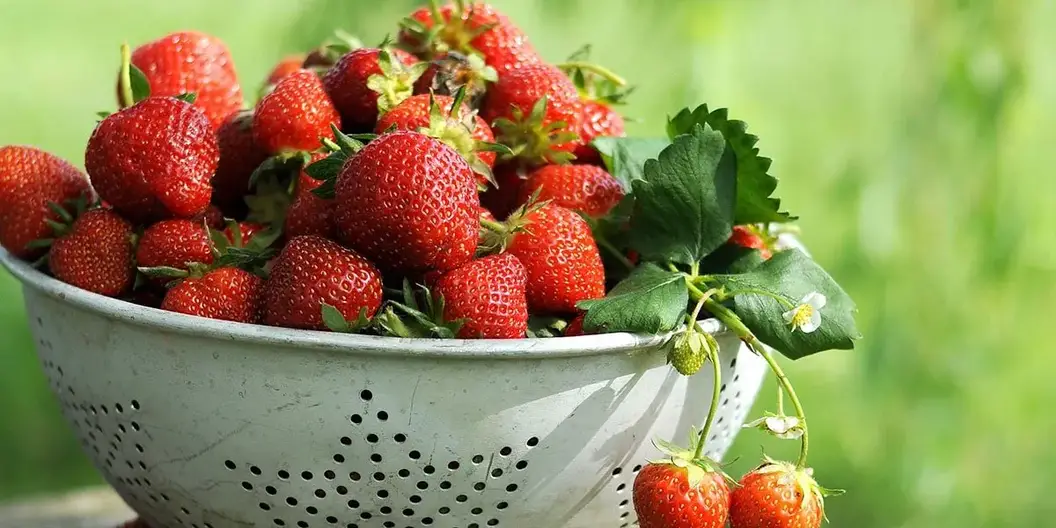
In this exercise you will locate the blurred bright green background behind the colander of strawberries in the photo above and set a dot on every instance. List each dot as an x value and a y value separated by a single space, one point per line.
909 135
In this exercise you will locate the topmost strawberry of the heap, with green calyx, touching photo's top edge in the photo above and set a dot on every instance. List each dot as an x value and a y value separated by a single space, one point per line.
470 29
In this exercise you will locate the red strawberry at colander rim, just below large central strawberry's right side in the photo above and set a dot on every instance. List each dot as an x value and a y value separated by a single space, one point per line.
489 295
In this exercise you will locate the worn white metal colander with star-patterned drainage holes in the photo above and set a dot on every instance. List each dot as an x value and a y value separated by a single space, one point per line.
211 425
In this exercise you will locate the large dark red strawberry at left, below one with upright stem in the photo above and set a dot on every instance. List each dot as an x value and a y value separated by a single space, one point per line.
155 160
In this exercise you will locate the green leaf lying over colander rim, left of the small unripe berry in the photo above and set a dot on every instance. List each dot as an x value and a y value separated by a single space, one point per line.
650 301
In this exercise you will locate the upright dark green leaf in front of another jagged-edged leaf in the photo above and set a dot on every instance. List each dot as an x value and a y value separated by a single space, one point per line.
685 208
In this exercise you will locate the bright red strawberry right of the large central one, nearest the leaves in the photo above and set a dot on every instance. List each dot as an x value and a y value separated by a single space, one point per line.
561 258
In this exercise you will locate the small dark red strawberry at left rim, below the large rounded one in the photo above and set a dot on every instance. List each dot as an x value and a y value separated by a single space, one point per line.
96 254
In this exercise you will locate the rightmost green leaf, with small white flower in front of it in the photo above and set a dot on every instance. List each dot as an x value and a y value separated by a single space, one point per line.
791 275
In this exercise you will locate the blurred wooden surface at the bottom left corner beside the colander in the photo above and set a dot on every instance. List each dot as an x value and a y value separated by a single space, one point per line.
93 508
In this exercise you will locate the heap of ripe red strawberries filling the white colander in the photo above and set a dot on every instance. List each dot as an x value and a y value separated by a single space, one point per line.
359 171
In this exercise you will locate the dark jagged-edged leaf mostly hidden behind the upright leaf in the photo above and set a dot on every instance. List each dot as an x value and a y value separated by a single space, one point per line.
755 185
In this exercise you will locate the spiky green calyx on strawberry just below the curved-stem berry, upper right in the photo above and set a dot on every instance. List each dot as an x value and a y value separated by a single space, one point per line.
534 142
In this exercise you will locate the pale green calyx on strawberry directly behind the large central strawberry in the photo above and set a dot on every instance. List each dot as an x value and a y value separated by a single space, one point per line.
456 129
